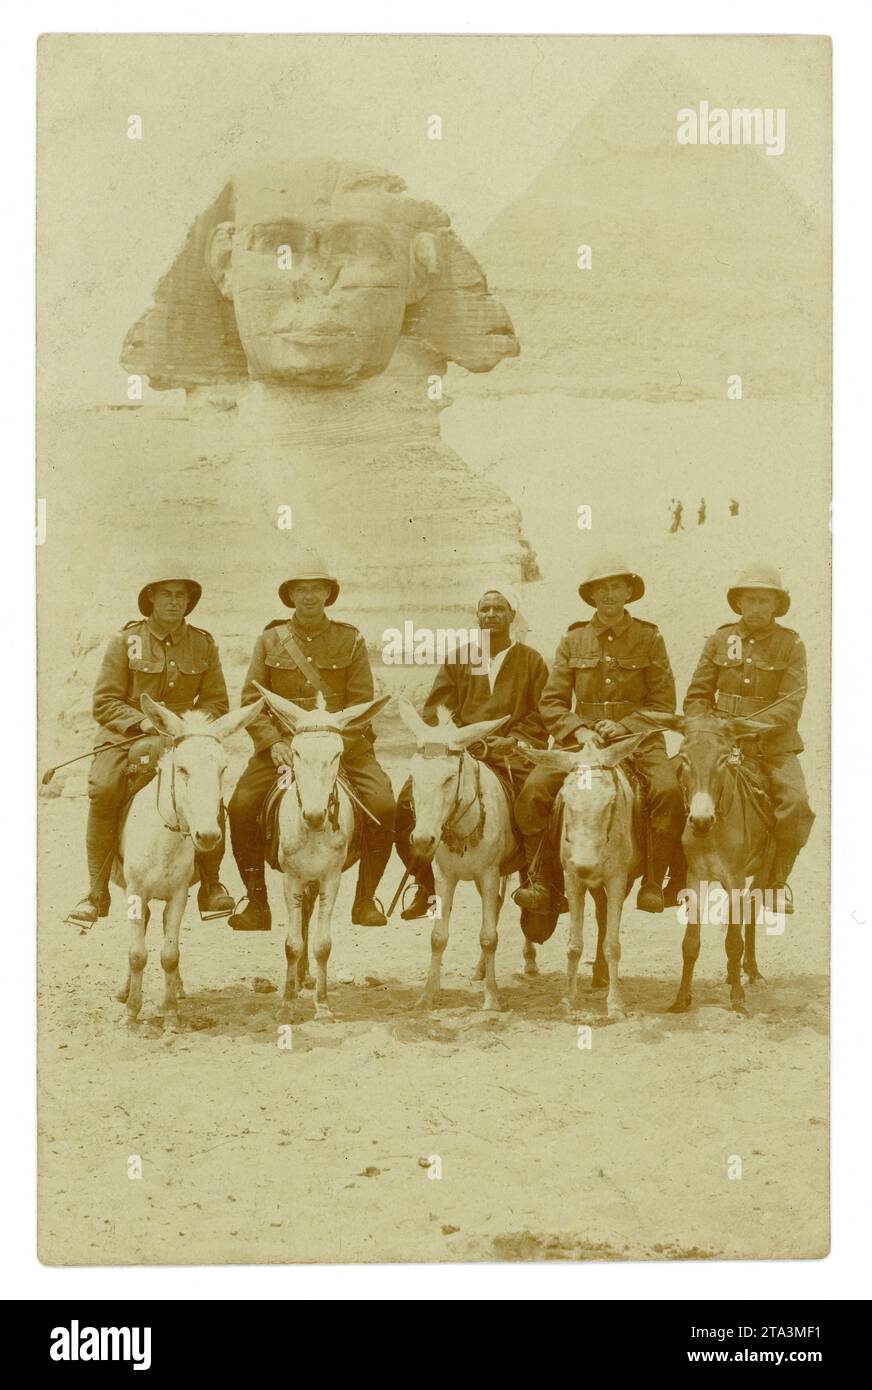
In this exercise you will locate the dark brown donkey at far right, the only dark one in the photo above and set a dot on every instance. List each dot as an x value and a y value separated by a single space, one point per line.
727 840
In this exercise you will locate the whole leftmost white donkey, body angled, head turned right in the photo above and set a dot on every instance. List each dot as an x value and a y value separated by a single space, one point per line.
170 819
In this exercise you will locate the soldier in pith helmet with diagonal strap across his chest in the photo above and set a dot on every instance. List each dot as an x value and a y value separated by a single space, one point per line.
298 658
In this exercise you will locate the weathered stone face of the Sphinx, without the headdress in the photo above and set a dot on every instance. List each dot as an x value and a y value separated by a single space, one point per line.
321 293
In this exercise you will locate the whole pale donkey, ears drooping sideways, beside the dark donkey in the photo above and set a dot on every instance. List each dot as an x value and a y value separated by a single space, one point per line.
600 854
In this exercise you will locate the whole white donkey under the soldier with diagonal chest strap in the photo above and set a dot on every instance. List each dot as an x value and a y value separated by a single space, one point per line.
316 829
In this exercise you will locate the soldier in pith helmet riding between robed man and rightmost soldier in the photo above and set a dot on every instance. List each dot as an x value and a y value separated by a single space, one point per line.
606 671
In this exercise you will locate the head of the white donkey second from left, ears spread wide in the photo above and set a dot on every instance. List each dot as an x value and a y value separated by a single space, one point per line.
316 747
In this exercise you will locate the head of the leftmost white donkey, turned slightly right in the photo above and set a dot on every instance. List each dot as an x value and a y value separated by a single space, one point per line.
200 764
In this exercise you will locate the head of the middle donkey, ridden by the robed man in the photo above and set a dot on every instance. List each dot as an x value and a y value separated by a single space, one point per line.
436 771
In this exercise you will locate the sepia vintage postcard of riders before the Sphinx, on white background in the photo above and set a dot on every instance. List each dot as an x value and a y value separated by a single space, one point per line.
435 648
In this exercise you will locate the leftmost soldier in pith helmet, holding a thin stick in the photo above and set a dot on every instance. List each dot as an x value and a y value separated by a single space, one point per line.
179 665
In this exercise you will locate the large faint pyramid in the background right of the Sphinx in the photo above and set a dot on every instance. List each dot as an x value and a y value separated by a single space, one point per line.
704 262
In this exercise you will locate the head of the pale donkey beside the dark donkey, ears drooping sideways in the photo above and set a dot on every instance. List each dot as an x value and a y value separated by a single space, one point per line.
590 796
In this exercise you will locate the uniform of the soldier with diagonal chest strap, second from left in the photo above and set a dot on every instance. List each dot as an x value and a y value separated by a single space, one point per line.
340 657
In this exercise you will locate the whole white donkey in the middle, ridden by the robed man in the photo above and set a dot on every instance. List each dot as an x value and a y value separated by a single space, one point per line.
462 825
